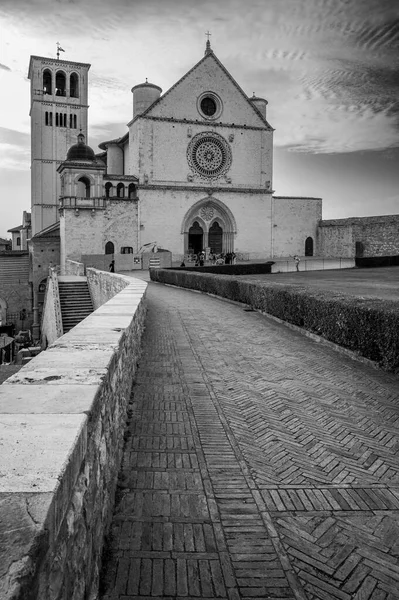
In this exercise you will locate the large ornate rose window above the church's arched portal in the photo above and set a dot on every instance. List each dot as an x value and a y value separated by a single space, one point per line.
209 155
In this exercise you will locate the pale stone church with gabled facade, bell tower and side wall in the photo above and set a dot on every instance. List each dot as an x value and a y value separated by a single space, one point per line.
193 172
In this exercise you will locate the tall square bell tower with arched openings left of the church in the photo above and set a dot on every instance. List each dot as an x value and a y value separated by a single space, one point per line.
59 107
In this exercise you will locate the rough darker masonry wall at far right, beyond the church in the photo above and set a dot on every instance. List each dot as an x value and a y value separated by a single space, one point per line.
378 236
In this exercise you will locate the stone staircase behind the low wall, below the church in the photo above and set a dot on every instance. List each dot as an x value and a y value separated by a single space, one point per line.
75 301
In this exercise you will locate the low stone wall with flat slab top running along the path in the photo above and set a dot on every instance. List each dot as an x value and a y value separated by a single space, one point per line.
62 421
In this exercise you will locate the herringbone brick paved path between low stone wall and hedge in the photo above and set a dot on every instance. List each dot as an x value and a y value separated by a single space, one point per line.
258 463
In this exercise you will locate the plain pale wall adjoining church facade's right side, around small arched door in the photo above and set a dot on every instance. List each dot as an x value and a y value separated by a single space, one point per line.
294 220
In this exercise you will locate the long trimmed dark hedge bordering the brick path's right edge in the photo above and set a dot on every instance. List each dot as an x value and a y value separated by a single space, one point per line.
367 326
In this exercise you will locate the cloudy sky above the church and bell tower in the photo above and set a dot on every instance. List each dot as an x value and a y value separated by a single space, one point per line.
328 68
